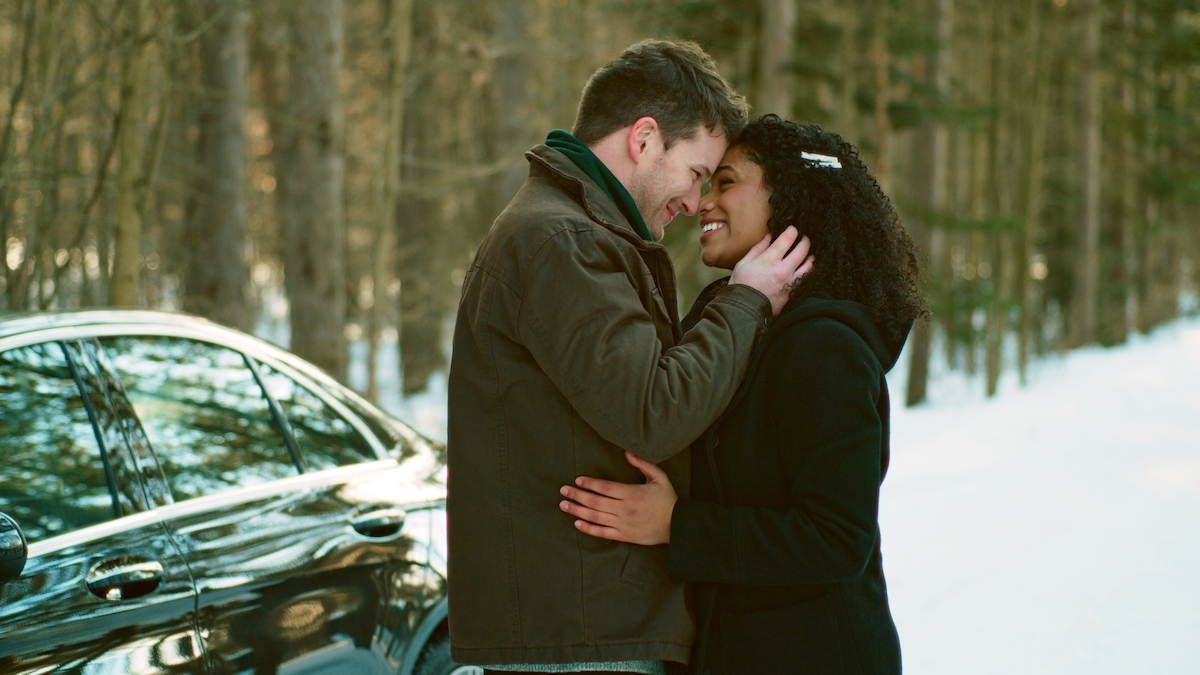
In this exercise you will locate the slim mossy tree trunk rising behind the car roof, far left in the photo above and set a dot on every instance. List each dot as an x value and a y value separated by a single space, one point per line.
131 148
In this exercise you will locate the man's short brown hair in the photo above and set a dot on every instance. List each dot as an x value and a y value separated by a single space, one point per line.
676 83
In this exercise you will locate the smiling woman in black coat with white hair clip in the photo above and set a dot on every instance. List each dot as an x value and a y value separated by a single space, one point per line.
781 530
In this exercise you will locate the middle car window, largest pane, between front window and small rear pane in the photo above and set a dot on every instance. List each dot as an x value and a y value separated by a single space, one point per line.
205 414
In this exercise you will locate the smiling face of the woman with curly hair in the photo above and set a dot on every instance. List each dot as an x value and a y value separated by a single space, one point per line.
734 216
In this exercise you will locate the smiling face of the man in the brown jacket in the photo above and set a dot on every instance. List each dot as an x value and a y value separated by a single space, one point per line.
669 182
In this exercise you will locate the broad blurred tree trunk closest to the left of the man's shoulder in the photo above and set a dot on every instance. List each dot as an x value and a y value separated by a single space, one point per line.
448 139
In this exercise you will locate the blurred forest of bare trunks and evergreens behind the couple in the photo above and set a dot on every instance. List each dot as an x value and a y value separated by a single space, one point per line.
321 172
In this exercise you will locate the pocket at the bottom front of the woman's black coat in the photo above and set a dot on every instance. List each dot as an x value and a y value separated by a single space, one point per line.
797 638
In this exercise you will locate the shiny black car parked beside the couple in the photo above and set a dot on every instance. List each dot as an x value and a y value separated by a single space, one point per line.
196 500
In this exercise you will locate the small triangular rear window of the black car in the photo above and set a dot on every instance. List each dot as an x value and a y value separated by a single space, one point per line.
326 439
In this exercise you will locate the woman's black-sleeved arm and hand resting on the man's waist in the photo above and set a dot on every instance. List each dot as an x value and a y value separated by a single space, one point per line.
824 381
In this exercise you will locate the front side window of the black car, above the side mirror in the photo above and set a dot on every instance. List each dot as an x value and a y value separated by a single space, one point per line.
52 475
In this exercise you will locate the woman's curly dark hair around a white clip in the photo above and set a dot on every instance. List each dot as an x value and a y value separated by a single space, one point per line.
863 254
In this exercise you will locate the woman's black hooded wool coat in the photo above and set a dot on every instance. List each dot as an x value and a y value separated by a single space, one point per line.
781 533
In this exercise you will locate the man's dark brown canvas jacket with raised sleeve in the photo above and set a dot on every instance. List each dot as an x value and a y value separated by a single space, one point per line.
567 351
